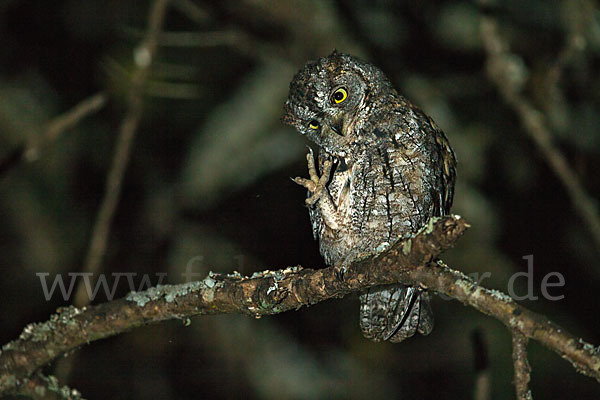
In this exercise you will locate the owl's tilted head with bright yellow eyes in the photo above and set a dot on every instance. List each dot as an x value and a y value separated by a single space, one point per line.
329 100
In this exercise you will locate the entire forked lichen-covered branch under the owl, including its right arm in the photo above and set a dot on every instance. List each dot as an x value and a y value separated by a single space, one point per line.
272 292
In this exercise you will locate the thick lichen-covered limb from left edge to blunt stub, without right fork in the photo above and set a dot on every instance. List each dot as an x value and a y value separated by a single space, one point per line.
267 292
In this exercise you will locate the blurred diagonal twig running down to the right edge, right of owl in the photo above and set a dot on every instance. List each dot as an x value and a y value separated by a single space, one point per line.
501 71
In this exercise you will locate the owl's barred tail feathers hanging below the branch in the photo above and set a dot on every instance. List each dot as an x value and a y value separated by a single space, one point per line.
395 312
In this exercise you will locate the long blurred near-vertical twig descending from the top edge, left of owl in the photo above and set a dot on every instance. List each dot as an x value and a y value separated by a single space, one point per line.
144 55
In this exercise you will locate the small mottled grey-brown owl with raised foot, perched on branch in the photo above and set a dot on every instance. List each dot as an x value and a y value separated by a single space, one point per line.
384 168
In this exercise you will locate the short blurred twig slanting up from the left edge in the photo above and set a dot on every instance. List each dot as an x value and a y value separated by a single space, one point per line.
55 128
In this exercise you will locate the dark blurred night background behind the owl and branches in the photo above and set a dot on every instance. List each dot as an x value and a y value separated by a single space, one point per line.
208 186
